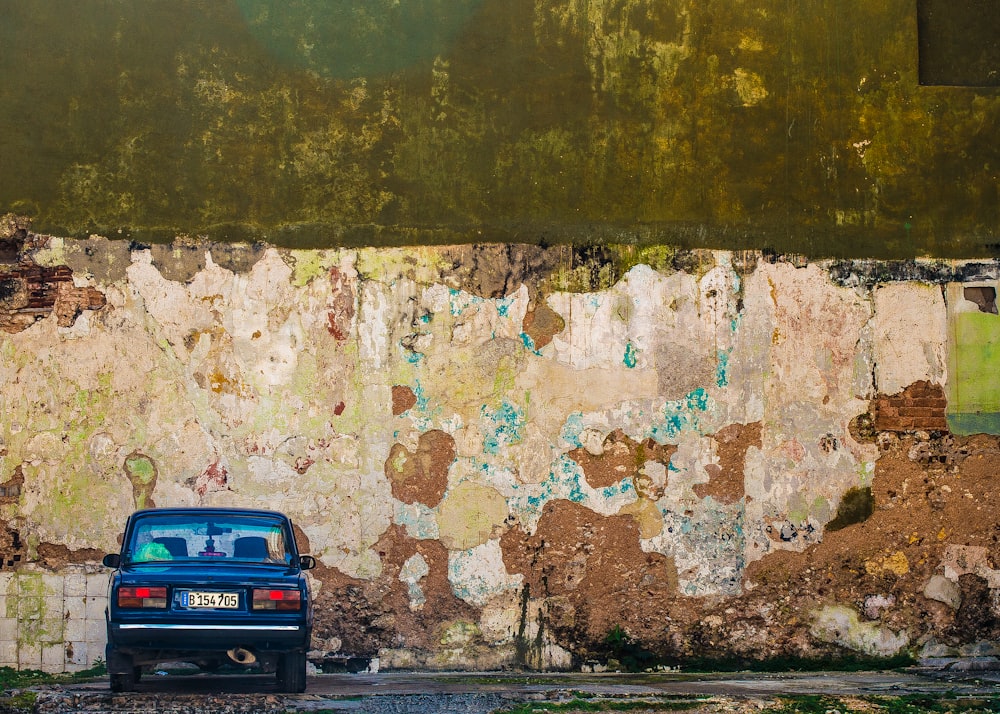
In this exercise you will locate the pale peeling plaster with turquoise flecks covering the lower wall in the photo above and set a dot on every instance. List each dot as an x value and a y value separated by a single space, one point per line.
700 421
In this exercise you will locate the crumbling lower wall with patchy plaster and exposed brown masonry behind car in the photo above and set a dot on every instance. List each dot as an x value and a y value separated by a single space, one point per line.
501 455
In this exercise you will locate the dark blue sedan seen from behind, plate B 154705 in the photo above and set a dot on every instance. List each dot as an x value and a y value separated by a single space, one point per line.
208 586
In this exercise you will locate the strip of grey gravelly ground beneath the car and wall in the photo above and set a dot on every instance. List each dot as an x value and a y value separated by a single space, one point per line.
426 693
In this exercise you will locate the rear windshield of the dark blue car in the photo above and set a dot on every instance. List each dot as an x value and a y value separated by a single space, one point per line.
248 539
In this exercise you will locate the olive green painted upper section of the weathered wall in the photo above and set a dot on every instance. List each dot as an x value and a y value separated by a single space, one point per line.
785 126
